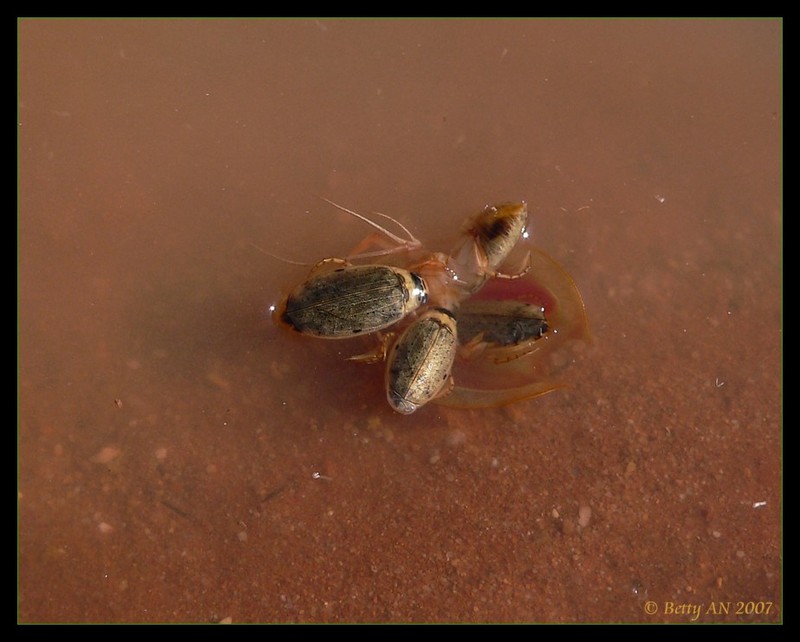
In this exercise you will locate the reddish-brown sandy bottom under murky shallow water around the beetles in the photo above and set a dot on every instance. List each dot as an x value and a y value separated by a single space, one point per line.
183 460
